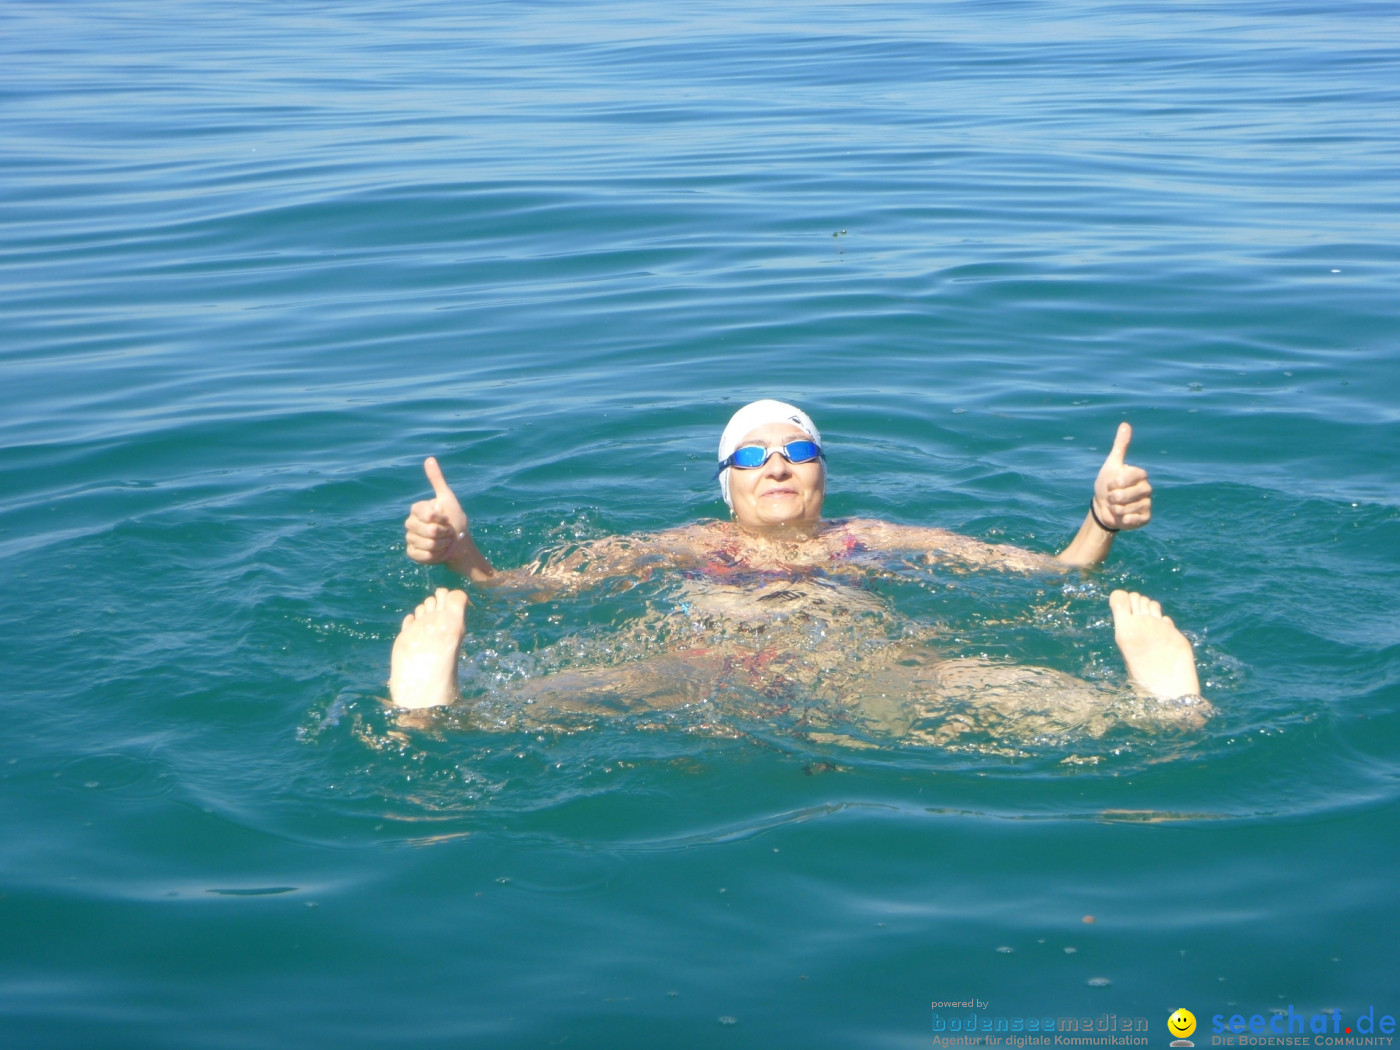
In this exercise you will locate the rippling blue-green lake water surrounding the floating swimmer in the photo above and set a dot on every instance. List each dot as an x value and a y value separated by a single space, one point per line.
257 261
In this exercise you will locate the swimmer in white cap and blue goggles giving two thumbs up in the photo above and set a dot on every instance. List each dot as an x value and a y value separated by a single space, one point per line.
758 582
